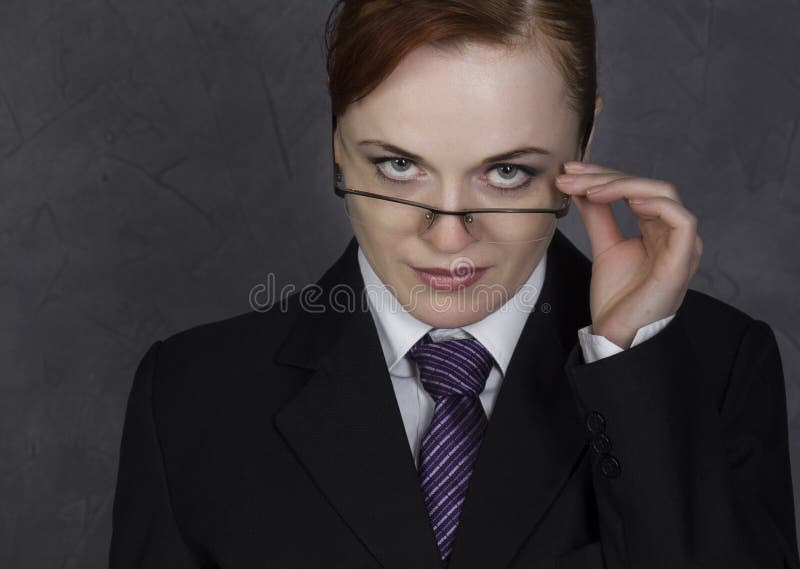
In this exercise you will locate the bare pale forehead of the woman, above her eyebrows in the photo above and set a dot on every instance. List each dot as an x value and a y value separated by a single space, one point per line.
474 98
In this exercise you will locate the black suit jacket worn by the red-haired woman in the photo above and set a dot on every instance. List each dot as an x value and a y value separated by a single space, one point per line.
274 440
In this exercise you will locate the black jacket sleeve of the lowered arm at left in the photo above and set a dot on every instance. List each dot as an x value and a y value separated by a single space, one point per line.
144 534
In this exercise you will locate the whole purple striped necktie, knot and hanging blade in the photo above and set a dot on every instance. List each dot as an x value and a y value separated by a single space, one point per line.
454 373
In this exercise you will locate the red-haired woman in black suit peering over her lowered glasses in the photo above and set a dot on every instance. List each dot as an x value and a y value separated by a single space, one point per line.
508 403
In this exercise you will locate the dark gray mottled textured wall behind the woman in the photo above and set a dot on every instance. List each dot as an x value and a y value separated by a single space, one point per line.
159 158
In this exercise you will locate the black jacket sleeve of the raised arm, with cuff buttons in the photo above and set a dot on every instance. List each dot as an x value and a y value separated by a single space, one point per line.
686 478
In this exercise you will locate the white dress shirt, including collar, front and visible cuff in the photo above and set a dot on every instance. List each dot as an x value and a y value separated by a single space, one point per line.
499 331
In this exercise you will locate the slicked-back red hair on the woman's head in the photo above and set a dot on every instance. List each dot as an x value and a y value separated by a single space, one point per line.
367 39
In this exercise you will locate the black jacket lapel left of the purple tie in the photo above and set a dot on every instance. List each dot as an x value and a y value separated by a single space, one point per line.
345 427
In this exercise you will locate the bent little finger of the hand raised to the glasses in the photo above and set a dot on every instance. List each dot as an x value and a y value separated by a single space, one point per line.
681 234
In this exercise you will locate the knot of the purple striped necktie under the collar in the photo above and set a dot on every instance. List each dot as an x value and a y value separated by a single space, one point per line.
452 367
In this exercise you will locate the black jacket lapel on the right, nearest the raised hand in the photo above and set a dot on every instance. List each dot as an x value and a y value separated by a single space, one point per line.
535 436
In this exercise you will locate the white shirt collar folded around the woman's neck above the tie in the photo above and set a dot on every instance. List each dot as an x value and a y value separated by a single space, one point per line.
499 331
